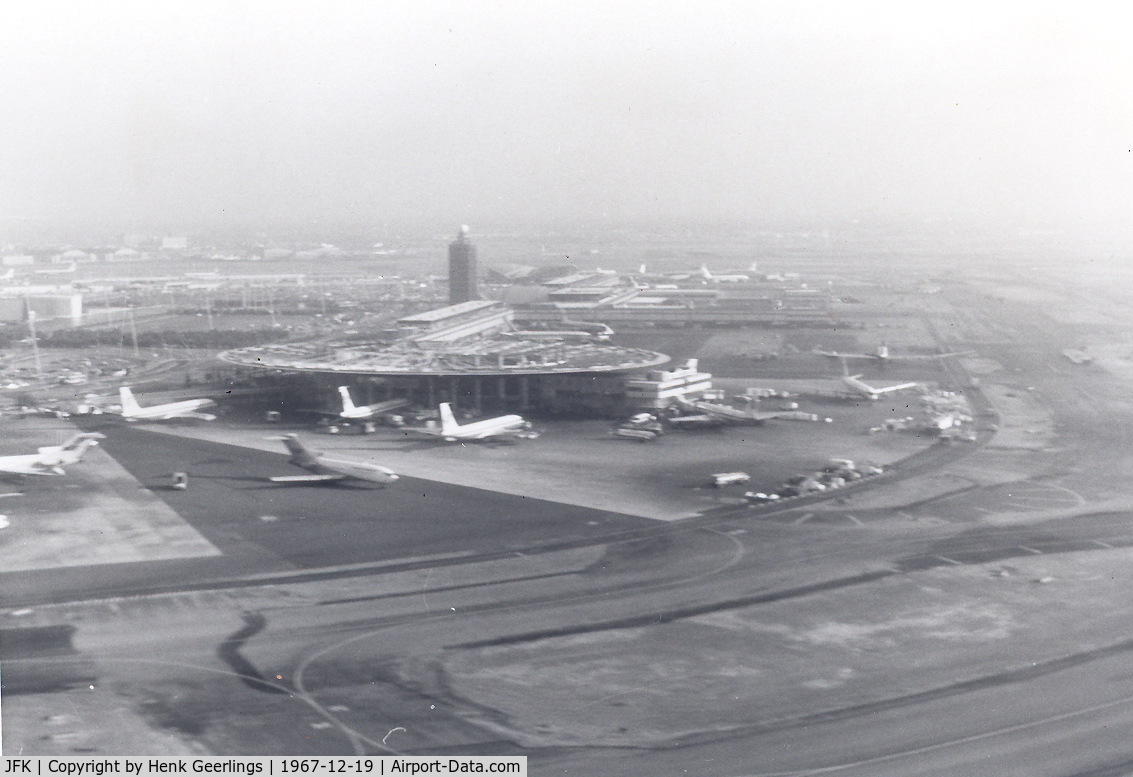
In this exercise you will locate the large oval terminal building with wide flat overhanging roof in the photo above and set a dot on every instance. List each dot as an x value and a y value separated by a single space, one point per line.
470 355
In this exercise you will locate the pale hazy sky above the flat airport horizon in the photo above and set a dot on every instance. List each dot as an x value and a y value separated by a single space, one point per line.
489 112
